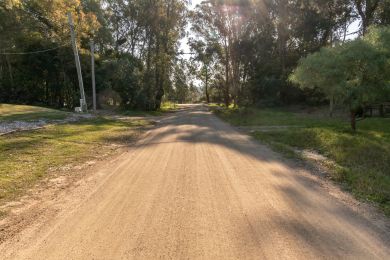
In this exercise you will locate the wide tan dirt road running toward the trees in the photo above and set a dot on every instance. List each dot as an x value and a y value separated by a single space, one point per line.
194 188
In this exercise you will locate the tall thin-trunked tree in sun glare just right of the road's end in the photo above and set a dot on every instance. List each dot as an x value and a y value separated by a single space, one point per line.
221 25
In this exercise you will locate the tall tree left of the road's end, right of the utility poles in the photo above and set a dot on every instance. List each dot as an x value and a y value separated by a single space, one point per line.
149 30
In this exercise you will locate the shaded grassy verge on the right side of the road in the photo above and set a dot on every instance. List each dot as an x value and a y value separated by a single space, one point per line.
362 158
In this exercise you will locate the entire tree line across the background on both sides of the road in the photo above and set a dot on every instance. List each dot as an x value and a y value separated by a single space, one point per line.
245 52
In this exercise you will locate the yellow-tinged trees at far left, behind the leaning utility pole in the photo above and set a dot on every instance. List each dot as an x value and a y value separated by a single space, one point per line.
30 26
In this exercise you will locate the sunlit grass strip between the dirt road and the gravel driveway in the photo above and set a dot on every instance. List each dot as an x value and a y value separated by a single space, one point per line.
26 157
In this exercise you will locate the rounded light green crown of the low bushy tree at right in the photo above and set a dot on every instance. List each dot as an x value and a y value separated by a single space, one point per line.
355 73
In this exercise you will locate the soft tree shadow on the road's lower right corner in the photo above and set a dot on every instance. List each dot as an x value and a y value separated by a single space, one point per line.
327 229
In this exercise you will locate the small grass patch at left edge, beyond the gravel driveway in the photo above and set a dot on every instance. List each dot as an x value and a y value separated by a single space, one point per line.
10 112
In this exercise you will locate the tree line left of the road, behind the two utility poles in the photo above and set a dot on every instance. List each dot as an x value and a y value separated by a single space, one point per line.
136 49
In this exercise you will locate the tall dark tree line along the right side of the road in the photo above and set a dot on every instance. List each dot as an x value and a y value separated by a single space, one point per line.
247 50
